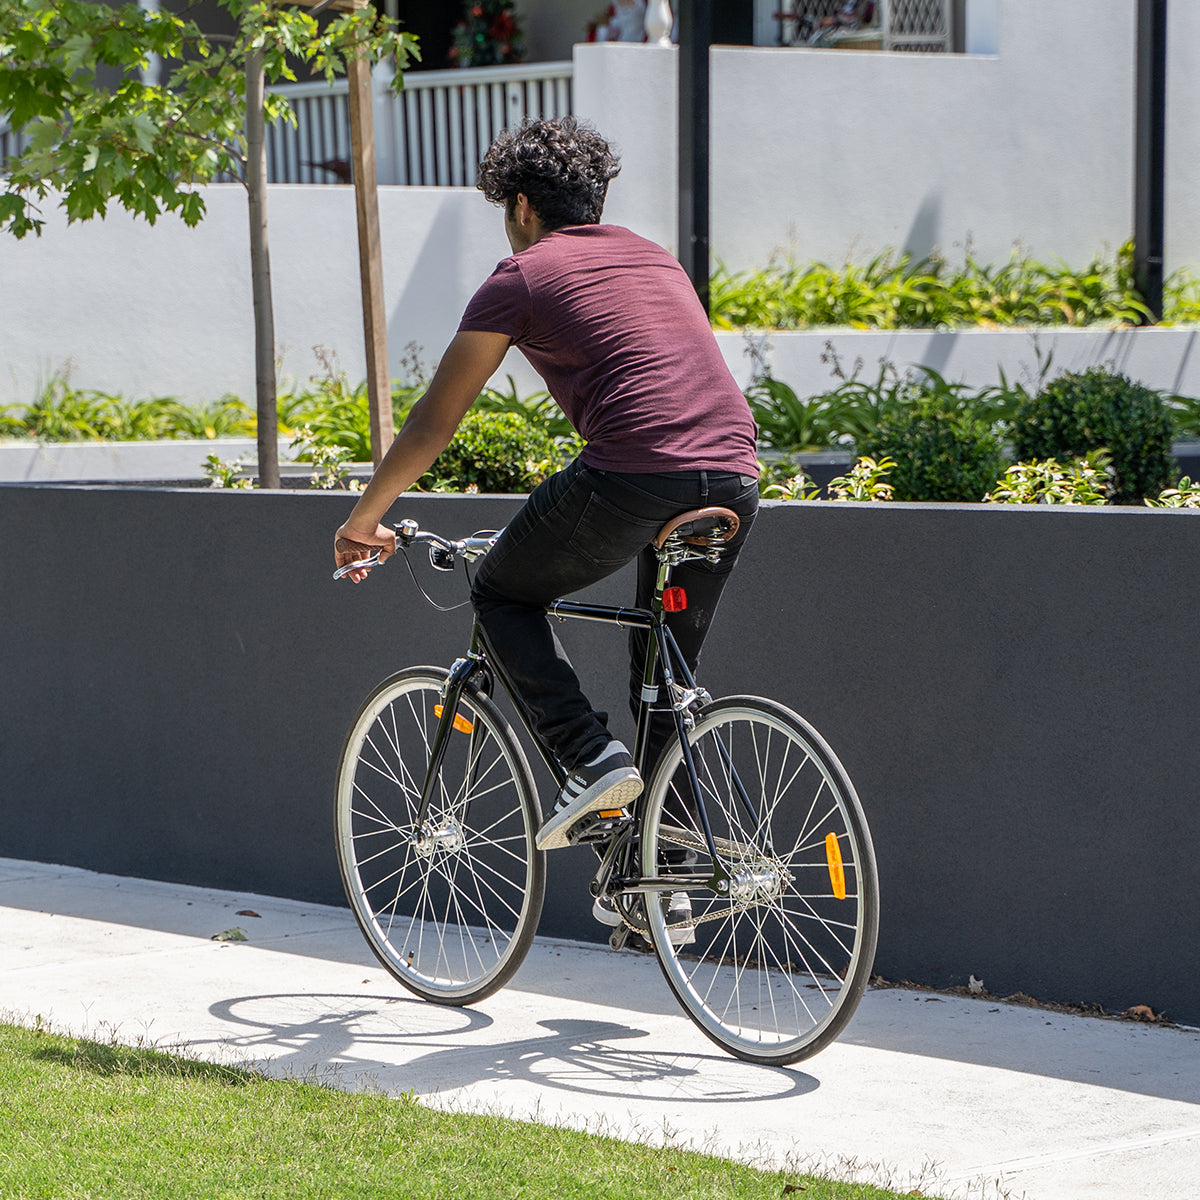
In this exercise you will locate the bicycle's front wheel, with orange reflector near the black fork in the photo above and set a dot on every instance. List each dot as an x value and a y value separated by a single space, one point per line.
451 905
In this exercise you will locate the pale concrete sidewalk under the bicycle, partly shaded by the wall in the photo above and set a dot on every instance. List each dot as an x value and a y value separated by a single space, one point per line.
955 1097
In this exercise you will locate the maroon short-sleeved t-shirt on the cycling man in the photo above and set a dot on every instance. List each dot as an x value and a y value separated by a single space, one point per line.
614 326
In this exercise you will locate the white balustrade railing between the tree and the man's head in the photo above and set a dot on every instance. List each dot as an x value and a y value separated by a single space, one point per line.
433 134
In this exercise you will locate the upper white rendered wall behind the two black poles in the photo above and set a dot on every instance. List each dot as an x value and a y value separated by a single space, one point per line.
841 154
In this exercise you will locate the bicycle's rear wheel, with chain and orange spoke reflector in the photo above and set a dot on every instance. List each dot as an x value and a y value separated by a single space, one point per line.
785 920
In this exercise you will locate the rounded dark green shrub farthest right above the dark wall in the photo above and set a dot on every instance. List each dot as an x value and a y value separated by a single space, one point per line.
1097 410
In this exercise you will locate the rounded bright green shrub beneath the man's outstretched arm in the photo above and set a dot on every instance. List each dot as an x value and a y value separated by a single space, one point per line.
495 453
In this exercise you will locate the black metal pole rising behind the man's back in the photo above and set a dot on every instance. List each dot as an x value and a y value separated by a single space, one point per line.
695 38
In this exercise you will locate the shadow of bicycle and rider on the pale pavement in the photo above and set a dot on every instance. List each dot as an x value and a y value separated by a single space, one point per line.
401 1046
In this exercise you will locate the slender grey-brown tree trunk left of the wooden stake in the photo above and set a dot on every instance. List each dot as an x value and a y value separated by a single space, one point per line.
261 277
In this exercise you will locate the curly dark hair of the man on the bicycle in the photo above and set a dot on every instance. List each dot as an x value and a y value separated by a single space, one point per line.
563 166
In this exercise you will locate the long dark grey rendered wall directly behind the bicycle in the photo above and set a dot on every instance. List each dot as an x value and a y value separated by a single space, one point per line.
1013 692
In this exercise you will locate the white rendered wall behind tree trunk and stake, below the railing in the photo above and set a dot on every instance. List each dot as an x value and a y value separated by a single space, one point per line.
166 310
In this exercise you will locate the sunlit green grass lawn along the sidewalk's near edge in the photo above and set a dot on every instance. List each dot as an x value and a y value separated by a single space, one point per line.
85 1119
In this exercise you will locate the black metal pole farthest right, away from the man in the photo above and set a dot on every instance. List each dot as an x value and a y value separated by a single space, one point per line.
1150 153
